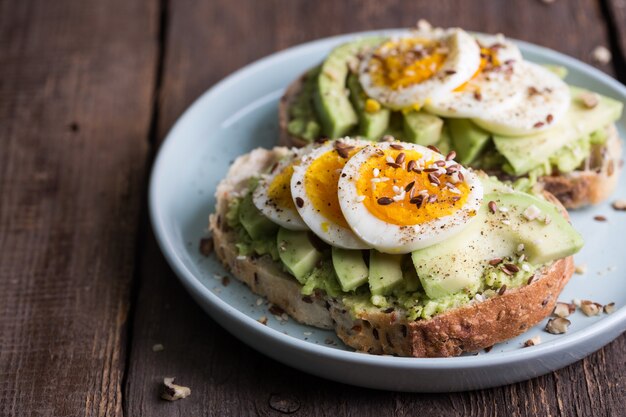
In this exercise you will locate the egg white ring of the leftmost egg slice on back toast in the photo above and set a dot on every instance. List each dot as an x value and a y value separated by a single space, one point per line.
461 63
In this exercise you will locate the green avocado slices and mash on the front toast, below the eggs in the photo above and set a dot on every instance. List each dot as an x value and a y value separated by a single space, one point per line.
525 231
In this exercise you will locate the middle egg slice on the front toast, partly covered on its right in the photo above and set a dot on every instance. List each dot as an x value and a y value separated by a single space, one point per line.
314 190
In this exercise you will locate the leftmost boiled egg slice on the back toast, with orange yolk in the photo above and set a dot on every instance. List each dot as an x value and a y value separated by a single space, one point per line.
406 72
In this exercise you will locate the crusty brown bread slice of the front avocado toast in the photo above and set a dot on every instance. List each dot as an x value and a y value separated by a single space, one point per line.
465 329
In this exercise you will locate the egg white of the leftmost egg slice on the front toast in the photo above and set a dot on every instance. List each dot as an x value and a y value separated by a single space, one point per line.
286 217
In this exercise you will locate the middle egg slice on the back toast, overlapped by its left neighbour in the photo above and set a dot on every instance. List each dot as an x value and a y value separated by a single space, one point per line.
495 87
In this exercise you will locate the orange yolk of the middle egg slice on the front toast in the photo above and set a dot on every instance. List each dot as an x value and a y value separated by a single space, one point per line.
320 183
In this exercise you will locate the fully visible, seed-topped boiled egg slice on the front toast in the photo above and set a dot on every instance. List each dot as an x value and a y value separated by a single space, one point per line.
402 197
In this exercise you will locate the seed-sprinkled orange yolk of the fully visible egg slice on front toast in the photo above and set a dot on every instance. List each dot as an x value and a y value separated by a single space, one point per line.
401 211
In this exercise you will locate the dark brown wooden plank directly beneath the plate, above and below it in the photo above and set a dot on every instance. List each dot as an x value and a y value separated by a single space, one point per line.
206 41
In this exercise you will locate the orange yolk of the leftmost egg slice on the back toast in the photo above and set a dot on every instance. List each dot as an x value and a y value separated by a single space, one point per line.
401 63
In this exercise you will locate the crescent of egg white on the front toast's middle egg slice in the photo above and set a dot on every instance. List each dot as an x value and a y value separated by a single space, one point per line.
326 229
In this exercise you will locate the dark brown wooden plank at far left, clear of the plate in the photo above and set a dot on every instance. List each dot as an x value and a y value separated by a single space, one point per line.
76 80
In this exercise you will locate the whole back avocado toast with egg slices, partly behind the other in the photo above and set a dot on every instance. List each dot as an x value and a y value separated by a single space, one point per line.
474 93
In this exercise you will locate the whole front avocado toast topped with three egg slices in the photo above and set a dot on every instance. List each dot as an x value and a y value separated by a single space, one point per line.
395 246
